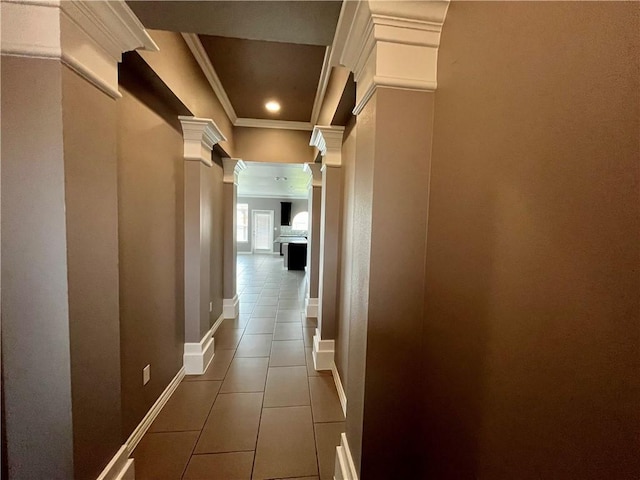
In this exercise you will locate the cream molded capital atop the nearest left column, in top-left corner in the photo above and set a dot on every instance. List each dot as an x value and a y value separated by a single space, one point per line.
87 36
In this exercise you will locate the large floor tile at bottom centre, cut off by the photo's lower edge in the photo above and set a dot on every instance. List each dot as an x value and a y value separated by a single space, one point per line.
286 446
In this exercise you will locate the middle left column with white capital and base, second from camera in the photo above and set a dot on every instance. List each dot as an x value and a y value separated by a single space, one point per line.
200 135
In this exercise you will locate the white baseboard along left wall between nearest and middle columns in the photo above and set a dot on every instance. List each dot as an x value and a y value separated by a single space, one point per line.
121 467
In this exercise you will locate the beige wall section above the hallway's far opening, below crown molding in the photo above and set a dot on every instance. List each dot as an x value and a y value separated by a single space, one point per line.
273 145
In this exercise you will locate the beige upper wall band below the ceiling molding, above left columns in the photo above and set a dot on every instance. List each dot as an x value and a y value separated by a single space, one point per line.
177 68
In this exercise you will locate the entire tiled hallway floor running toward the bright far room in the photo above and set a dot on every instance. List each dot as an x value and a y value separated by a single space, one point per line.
260 411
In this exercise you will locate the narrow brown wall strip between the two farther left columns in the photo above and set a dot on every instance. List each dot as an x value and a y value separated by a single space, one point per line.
217 238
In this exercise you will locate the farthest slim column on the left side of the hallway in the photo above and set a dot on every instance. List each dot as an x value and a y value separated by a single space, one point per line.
232 167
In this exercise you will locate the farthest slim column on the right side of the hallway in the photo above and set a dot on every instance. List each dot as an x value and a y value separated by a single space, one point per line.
313 253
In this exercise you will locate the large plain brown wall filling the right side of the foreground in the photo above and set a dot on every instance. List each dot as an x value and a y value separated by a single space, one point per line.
531 334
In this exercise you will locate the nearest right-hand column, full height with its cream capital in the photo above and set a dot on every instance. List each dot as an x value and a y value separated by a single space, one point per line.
392 49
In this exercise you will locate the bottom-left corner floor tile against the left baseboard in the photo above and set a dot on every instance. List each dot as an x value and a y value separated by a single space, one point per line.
163 455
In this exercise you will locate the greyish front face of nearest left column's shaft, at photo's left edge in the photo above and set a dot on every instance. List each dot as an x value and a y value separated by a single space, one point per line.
35 312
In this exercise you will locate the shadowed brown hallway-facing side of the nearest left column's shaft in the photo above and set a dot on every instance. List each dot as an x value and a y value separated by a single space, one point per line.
91 201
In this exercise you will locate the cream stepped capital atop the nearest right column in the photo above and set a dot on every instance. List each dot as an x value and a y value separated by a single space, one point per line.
391 44
